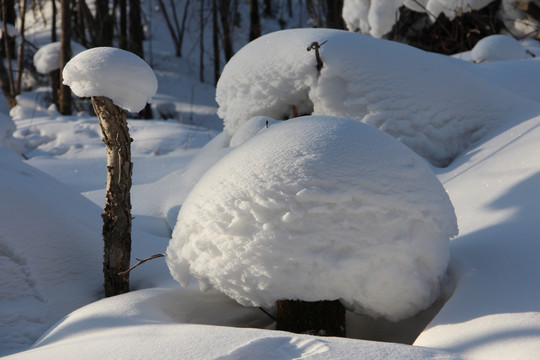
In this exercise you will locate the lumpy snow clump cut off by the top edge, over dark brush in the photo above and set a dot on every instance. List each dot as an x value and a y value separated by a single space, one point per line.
376 17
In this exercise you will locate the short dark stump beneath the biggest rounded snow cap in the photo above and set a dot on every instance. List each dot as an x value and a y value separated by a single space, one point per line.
322 318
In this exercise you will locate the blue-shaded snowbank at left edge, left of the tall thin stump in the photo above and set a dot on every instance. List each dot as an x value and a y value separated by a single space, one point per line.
61 228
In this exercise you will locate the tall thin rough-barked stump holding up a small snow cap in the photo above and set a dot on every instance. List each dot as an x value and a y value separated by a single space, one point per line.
117 213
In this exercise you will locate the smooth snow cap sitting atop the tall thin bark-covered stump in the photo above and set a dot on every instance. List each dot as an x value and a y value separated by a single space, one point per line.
117 74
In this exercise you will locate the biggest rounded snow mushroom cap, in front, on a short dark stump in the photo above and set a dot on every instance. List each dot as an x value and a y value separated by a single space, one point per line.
318 208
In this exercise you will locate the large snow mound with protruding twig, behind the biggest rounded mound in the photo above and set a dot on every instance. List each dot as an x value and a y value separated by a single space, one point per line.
413 96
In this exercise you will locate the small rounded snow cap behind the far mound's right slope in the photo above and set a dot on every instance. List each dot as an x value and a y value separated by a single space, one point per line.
498 48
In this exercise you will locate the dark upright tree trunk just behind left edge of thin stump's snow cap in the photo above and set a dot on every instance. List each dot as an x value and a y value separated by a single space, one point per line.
64 97
